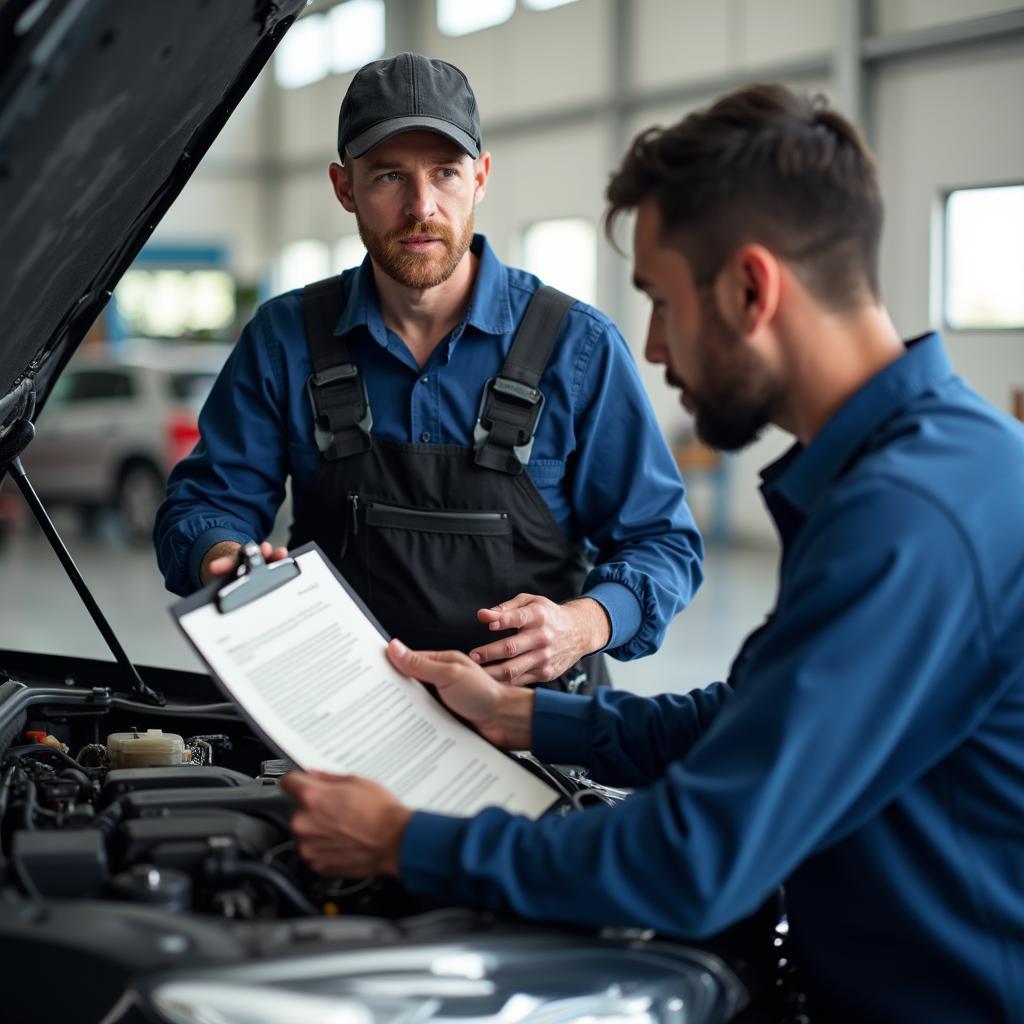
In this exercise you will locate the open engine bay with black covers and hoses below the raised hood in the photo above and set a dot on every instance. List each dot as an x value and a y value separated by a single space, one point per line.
92 808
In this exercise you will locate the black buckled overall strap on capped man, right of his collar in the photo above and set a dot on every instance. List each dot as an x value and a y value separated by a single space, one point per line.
511 405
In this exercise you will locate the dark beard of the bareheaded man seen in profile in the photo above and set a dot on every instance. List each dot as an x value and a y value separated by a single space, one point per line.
738 397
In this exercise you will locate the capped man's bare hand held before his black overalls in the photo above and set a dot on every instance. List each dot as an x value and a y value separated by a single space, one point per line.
551 637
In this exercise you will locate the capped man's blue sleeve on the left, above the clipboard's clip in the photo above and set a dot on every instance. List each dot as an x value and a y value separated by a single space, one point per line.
233 484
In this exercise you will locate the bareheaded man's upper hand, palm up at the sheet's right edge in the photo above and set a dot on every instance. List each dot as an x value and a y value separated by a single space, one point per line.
503 715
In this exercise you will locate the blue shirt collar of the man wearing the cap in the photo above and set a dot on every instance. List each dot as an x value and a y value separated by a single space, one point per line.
489 311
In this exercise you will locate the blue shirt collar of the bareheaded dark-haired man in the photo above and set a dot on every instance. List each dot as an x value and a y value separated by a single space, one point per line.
803 474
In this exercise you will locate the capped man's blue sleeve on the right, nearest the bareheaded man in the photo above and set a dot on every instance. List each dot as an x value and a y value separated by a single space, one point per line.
630 503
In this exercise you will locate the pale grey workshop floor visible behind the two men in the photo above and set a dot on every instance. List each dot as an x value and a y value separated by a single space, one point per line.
39 610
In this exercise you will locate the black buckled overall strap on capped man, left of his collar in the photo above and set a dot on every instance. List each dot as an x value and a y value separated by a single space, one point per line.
337 392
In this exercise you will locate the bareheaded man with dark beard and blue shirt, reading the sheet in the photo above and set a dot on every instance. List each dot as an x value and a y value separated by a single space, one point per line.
868 750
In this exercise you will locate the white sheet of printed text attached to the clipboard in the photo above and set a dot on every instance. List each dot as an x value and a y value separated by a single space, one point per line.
308 667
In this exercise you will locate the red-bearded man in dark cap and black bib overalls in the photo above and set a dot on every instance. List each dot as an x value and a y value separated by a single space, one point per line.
468 516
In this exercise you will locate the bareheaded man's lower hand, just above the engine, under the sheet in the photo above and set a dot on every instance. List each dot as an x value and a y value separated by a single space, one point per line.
346 826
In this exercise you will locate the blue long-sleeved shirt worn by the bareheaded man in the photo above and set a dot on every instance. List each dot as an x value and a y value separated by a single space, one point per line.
869 751
